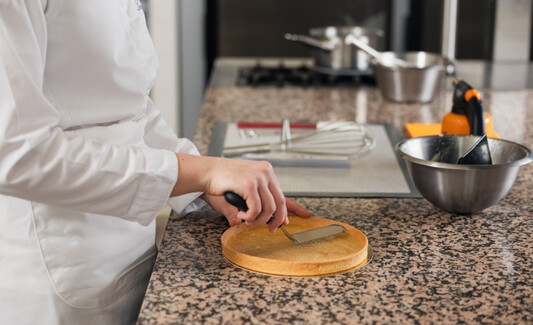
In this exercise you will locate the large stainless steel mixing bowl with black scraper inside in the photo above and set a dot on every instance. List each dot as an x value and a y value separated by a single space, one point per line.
461 189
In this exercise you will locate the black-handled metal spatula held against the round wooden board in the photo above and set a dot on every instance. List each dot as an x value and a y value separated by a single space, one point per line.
299 237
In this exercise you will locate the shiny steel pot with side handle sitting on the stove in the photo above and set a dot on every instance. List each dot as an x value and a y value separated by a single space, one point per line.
332 55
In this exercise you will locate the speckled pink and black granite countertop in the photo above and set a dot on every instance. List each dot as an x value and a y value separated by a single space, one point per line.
429 266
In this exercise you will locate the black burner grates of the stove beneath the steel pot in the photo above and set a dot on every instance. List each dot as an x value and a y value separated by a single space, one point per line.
301 76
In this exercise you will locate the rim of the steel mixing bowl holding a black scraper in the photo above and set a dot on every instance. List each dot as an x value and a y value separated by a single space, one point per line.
527 159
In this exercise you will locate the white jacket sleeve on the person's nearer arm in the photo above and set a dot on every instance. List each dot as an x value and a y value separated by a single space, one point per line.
40 162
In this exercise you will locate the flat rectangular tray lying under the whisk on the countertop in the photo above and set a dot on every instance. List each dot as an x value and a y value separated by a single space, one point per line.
379 174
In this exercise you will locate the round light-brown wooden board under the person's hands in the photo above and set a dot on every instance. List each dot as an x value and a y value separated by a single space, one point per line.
255 248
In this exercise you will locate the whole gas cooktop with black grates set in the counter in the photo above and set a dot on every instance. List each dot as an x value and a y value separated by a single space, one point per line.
281 73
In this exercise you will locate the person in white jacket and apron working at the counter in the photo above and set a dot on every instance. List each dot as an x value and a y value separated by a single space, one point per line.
86 163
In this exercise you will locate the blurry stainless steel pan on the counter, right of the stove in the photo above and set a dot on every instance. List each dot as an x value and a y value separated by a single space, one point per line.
419 82
